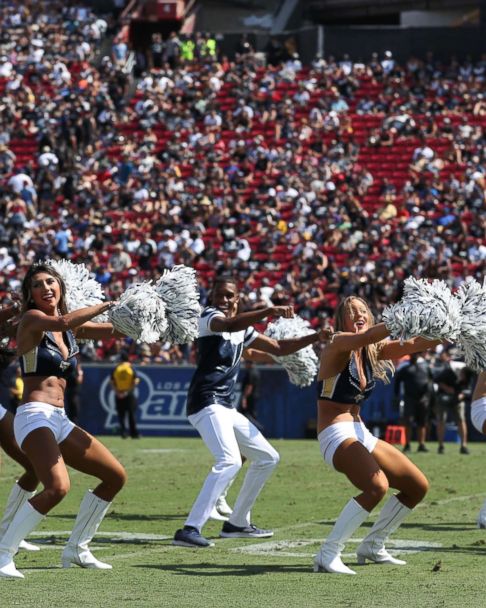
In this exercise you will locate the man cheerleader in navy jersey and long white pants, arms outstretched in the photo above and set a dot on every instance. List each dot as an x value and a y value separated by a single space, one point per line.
224 337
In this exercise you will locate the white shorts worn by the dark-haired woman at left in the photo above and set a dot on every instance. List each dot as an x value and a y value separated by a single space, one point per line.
35 415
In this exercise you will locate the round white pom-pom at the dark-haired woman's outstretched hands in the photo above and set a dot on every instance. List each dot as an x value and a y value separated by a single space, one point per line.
140 313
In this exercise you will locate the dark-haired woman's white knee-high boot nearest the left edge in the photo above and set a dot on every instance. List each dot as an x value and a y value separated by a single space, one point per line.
24 521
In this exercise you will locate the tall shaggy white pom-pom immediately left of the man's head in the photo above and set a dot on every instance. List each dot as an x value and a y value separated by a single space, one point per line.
179 291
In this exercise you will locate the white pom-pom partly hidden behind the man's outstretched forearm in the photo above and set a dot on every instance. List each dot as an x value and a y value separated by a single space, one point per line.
301 366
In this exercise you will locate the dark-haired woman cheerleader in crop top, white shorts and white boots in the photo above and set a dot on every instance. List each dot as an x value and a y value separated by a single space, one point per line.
47 349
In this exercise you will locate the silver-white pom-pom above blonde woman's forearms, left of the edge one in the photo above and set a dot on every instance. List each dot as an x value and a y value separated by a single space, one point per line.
426 309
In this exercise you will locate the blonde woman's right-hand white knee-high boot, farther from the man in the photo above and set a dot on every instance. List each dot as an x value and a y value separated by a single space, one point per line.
373 546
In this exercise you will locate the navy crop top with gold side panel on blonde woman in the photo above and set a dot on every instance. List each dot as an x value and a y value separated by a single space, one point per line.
345 387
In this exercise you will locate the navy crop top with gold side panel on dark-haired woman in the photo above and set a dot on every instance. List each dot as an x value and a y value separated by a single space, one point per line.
46 359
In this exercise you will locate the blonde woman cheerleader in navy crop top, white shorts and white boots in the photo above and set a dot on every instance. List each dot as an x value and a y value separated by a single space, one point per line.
354 359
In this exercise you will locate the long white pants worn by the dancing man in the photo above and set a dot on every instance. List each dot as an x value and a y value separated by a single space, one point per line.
228 434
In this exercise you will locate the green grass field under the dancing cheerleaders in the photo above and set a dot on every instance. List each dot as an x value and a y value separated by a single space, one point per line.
446 553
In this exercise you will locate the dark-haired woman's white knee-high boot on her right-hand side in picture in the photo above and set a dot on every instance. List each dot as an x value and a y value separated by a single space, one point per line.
76 552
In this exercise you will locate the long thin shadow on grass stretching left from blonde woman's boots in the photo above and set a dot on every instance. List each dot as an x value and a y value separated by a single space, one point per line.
226 569
